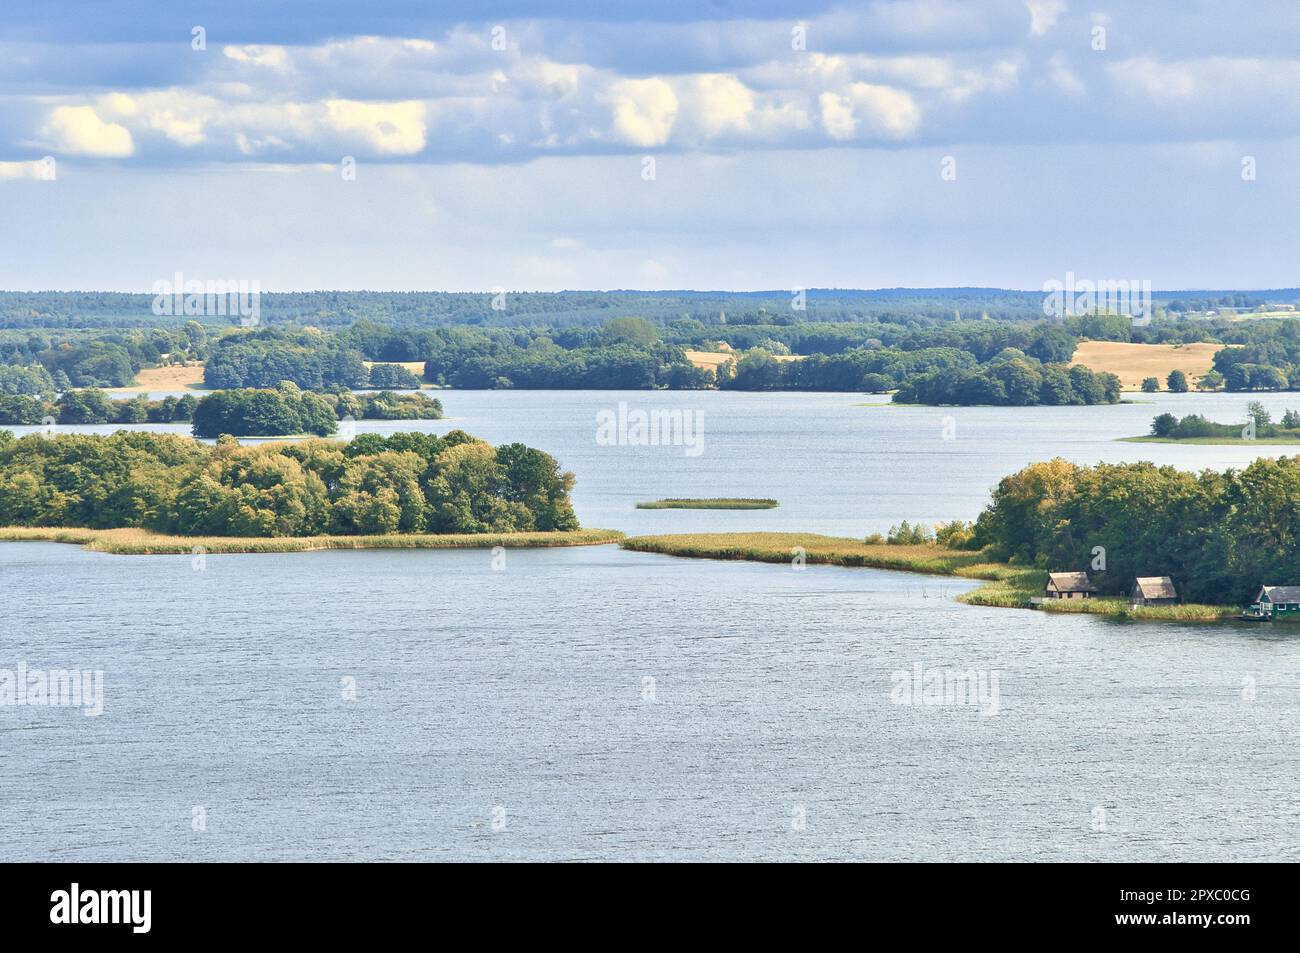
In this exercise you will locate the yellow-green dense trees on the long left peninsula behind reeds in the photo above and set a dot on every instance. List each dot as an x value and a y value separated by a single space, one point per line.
409 483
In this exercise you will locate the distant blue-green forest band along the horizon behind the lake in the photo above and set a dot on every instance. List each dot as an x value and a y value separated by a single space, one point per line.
937 346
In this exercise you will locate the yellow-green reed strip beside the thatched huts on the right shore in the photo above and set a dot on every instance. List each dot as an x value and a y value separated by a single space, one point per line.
1007 587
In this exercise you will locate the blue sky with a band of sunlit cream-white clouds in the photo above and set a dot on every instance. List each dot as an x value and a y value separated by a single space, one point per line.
712 145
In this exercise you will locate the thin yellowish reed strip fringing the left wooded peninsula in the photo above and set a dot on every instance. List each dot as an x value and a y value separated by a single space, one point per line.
144 543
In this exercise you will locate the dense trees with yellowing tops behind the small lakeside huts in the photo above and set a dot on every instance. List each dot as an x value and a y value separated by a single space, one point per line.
1219 535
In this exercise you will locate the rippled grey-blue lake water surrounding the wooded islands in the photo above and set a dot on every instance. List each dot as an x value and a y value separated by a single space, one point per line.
592 704
